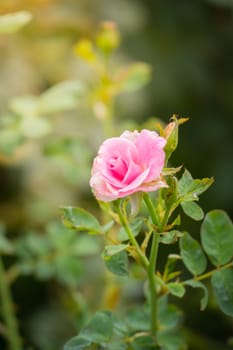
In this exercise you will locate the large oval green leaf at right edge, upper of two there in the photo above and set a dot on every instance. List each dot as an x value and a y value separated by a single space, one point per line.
217 237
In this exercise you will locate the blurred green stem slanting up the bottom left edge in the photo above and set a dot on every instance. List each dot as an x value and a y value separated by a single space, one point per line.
8 312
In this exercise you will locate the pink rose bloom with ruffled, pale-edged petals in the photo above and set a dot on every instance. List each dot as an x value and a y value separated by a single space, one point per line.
127 164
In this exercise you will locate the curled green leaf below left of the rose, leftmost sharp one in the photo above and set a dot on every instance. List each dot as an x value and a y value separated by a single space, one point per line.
80 220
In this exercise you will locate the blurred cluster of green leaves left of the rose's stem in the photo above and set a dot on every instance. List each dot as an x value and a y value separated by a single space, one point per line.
55 255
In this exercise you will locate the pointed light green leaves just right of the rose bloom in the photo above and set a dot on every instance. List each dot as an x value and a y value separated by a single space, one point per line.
189 189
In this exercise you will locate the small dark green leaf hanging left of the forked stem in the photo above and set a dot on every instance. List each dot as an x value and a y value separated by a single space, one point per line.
118 263
